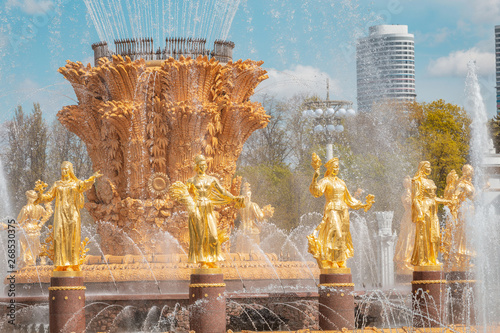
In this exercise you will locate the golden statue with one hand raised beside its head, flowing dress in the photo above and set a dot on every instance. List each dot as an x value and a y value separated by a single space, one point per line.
331 242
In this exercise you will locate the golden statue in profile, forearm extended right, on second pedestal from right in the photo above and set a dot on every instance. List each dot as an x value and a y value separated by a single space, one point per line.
424 214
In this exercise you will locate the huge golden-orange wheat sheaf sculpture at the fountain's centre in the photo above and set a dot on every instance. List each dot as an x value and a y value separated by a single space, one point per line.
144 125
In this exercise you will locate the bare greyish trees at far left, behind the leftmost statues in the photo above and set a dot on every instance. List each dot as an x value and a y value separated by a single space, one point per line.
36 151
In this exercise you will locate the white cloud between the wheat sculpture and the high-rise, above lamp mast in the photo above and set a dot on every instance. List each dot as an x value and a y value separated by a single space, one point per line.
298 80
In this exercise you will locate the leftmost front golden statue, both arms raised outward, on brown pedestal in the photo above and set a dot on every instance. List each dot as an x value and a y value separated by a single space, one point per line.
68 194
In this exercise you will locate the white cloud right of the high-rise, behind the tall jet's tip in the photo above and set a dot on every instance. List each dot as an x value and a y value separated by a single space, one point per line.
455 64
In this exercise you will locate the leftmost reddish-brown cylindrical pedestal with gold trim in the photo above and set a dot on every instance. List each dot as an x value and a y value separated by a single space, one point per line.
66 303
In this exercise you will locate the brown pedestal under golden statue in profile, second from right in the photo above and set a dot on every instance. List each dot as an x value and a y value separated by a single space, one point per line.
428 296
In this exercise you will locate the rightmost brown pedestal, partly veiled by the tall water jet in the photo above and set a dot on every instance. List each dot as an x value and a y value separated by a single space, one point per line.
461 310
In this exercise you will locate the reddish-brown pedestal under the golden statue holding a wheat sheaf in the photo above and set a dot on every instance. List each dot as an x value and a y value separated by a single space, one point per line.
207 303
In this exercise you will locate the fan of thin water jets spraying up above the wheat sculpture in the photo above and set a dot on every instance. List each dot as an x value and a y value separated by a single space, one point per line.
115 19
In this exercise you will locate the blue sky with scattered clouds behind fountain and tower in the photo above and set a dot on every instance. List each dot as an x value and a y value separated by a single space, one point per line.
301 42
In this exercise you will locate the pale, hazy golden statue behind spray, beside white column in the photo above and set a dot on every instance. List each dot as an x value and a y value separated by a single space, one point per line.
406 239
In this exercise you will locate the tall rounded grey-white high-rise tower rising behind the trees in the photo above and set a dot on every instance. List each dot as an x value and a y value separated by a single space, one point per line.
385 62
